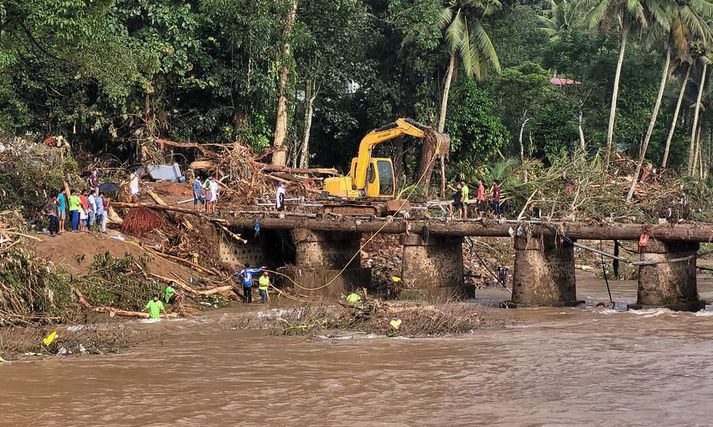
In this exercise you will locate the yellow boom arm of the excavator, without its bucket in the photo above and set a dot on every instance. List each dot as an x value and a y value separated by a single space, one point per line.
376 137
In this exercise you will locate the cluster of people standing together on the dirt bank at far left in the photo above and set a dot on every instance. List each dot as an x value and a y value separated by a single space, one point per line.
84 210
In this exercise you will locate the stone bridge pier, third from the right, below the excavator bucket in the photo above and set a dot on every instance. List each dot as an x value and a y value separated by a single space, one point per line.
432 268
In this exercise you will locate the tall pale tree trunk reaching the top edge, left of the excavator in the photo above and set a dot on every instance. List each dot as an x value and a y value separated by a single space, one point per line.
279 157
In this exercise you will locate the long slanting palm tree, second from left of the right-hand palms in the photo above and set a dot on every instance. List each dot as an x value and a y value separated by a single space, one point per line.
680 23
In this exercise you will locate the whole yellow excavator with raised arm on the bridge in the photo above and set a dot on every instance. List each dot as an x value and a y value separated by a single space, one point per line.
372 178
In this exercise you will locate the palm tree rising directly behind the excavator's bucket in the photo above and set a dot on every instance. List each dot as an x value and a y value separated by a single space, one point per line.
466 39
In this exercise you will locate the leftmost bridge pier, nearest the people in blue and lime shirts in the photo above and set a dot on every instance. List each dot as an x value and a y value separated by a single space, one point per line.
320 257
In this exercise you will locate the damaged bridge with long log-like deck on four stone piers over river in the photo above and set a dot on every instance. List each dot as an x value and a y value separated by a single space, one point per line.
327 254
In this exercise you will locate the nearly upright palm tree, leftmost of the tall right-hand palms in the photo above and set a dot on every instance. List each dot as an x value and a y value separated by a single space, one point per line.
628 16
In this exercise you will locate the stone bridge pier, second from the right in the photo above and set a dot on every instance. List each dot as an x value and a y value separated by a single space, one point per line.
544 272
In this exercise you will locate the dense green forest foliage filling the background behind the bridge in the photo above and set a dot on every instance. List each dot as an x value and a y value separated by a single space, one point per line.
114 74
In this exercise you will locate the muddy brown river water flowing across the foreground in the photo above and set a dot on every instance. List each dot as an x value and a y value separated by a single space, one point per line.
554 366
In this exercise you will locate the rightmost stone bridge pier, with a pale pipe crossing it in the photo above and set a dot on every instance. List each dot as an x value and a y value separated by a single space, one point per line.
671 285
